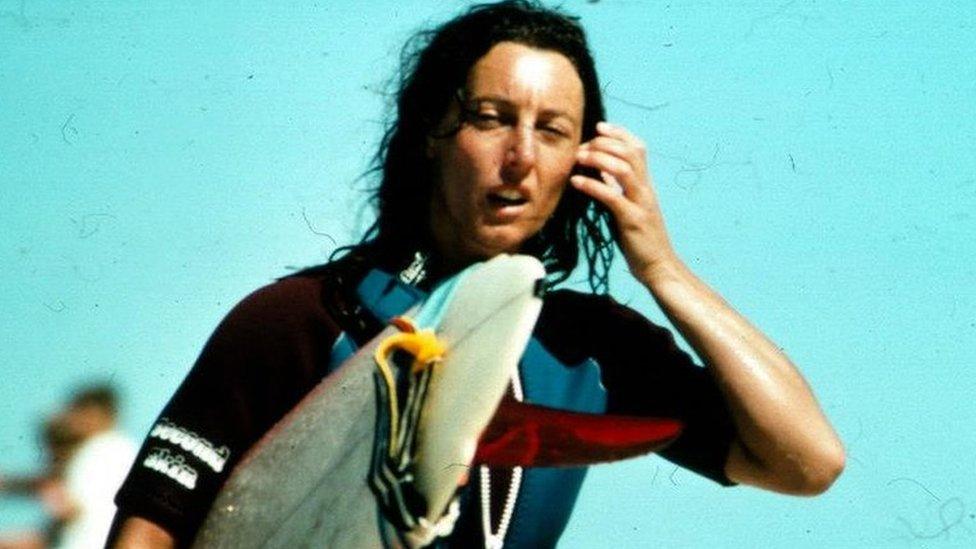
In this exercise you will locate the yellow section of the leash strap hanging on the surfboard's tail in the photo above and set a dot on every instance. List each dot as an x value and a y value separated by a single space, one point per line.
426 350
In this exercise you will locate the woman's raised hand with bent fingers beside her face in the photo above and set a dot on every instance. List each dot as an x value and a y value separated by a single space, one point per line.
628 193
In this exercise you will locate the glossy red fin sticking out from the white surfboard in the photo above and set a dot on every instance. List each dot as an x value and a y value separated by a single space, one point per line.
528 435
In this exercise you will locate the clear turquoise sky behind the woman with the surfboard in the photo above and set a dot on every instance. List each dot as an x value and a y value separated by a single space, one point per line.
815 161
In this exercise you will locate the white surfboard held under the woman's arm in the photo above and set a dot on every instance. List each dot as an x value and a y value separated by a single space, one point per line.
304 484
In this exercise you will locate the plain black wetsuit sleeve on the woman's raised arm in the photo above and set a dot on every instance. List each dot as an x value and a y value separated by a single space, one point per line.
647 374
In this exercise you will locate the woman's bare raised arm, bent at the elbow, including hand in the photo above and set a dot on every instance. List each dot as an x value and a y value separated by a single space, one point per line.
783 440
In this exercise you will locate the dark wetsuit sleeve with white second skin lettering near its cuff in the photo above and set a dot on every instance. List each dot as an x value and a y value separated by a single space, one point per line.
263 358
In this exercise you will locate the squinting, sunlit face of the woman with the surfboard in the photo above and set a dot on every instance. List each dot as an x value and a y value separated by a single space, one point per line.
500 177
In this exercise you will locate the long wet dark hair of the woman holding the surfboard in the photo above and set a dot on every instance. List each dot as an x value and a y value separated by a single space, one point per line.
434 68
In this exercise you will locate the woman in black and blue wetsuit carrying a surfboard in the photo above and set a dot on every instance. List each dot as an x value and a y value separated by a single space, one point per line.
499 147
